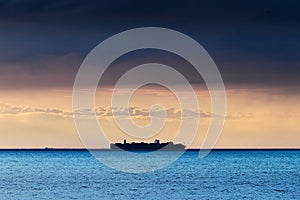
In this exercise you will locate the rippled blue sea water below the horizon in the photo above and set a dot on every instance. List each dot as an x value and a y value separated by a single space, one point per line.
220 175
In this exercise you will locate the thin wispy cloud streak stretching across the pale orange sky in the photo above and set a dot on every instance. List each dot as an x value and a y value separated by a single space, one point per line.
109 112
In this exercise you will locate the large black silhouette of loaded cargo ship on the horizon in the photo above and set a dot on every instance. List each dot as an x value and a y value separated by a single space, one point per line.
142 146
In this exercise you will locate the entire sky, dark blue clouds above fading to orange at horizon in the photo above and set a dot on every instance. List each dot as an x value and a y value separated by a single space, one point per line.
255 45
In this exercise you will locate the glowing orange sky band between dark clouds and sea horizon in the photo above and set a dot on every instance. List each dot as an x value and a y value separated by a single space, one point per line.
255 118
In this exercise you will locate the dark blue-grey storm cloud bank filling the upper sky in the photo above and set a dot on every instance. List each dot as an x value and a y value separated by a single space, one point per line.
252 42
